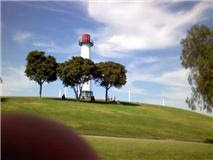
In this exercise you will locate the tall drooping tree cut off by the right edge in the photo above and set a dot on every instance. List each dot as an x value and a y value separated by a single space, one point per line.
197 56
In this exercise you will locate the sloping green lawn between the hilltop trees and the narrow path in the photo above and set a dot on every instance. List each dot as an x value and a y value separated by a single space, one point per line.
117 120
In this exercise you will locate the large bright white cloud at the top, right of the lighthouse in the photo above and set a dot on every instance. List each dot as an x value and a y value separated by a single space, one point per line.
140 25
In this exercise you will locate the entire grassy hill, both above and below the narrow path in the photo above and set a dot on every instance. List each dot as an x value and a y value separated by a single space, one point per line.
129 121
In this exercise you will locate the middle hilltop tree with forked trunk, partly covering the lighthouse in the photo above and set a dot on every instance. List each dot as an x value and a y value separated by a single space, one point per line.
75 72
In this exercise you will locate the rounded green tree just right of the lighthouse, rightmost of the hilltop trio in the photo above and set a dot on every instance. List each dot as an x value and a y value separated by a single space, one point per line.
110 74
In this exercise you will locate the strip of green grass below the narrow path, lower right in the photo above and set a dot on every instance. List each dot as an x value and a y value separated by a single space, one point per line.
130 149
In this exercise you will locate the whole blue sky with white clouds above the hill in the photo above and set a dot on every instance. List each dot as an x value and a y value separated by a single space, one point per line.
143 36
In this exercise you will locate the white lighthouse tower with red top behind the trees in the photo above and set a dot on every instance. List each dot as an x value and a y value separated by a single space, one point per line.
86 43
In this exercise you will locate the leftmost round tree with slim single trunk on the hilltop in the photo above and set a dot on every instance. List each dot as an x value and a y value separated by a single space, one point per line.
41 68
